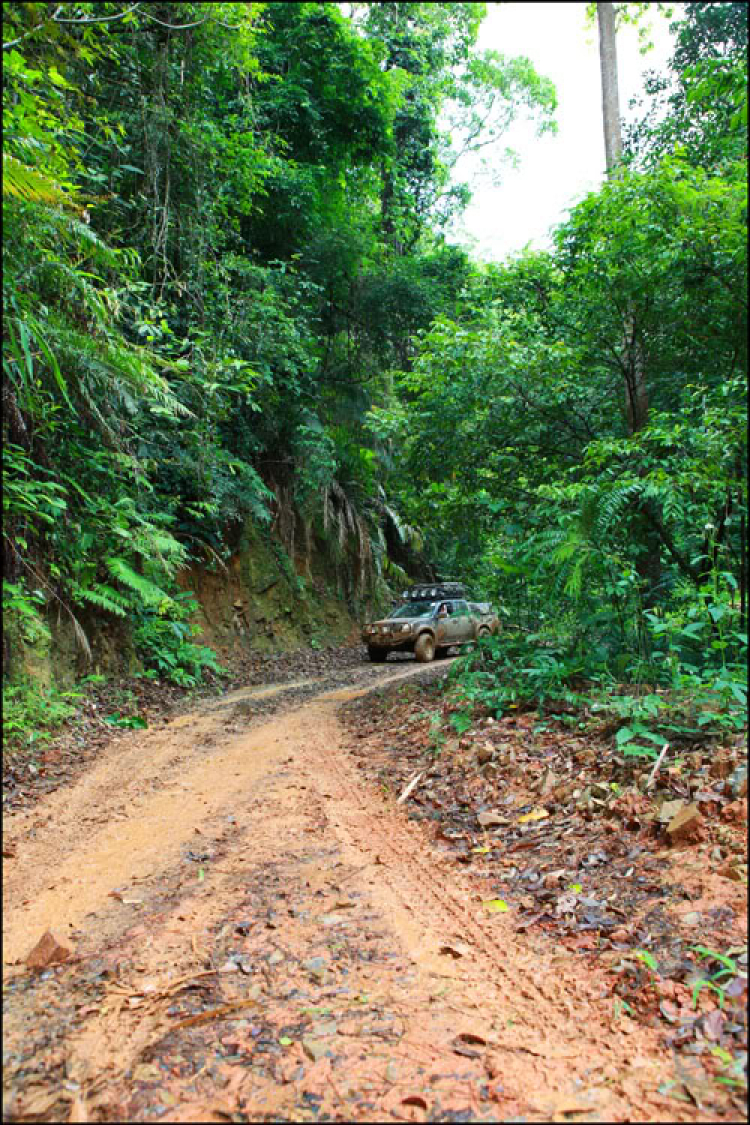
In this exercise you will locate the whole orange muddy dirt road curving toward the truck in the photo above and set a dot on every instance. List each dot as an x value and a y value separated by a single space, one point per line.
259 933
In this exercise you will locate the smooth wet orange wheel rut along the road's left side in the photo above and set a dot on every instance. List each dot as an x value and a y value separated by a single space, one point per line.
138 806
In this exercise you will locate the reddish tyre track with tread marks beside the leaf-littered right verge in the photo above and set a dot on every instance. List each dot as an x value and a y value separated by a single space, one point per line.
501 983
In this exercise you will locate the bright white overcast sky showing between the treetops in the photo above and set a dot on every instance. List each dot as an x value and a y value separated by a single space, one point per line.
554 172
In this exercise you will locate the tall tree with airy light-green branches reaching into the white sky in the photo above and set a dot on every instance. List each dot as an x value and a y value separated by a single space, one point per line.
431 49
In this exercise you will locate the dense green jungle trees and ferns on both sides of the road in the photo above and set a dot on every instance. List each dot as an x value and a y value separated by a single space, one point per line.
232 301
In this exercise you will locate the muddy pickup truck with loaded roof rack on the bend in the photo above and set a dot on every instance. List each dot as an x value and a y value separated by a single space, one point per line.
428 622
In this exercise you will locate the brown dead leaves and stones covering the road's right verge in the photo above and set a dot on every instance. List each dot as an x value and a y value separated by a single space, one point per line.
512 803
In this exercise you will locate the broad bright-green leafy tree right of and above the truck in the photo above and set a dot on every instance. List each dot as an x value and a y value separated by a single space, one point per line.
511 416
